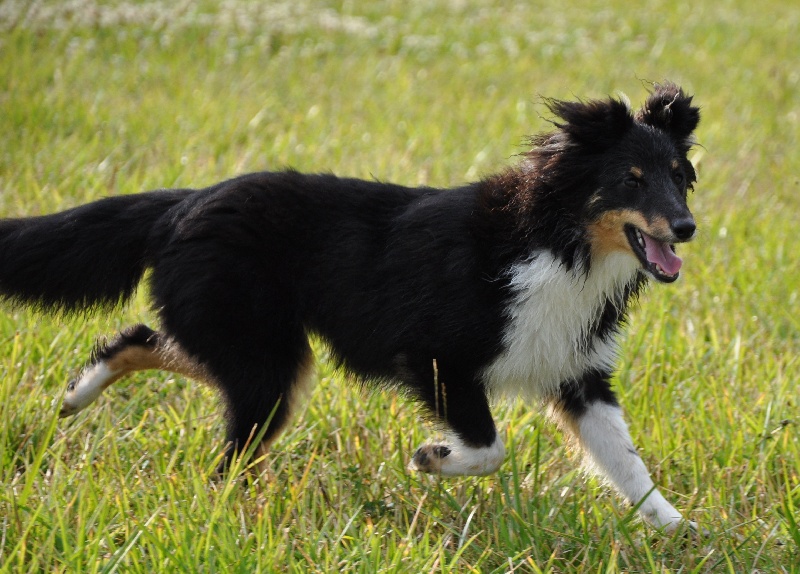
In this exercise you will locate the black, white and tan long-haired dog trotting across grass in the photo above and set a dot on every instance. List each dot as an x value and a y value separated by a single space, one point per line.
518 284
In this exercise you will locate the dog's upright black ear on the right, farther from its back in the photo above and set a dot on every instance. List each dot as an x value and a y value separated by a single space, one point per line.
670 110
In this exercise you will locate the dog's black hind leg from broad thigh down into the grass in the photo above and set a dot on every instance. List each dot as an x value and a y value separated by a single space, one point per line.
232 306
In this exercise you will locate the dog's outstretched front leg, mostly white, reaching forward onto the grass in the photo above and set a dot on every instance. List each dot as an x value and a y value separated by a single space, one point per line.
596 421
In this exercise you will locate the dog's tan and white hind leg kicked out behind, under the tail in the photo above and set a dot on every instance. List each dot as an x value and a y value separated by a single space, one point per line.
134 349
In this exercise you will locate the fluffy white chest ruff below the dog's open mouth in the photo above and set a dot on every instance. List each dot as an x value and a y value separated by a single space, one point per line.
551 334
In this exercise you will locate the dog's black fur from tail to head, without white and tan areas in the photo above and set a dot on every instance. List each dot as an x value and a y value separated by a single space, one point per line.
391 277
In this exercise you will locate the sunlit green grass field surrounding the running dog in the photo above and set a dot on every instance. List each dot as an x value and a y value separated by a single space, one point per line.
119 97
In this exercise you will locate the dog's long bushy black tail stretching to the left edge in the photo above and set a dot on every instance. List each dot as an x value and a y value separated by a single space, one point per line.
84 258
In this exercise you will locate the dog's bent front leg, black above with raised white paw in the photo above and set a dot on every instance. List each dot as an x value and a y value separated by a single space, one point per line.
472 445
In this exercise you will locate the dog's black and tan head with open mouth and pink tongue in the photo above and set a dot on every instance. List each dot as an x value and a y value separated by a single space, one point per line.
639 172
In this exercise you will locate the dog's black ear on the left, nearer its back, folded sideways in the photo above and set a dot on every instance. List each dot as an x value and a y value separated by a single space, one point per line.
597 124
